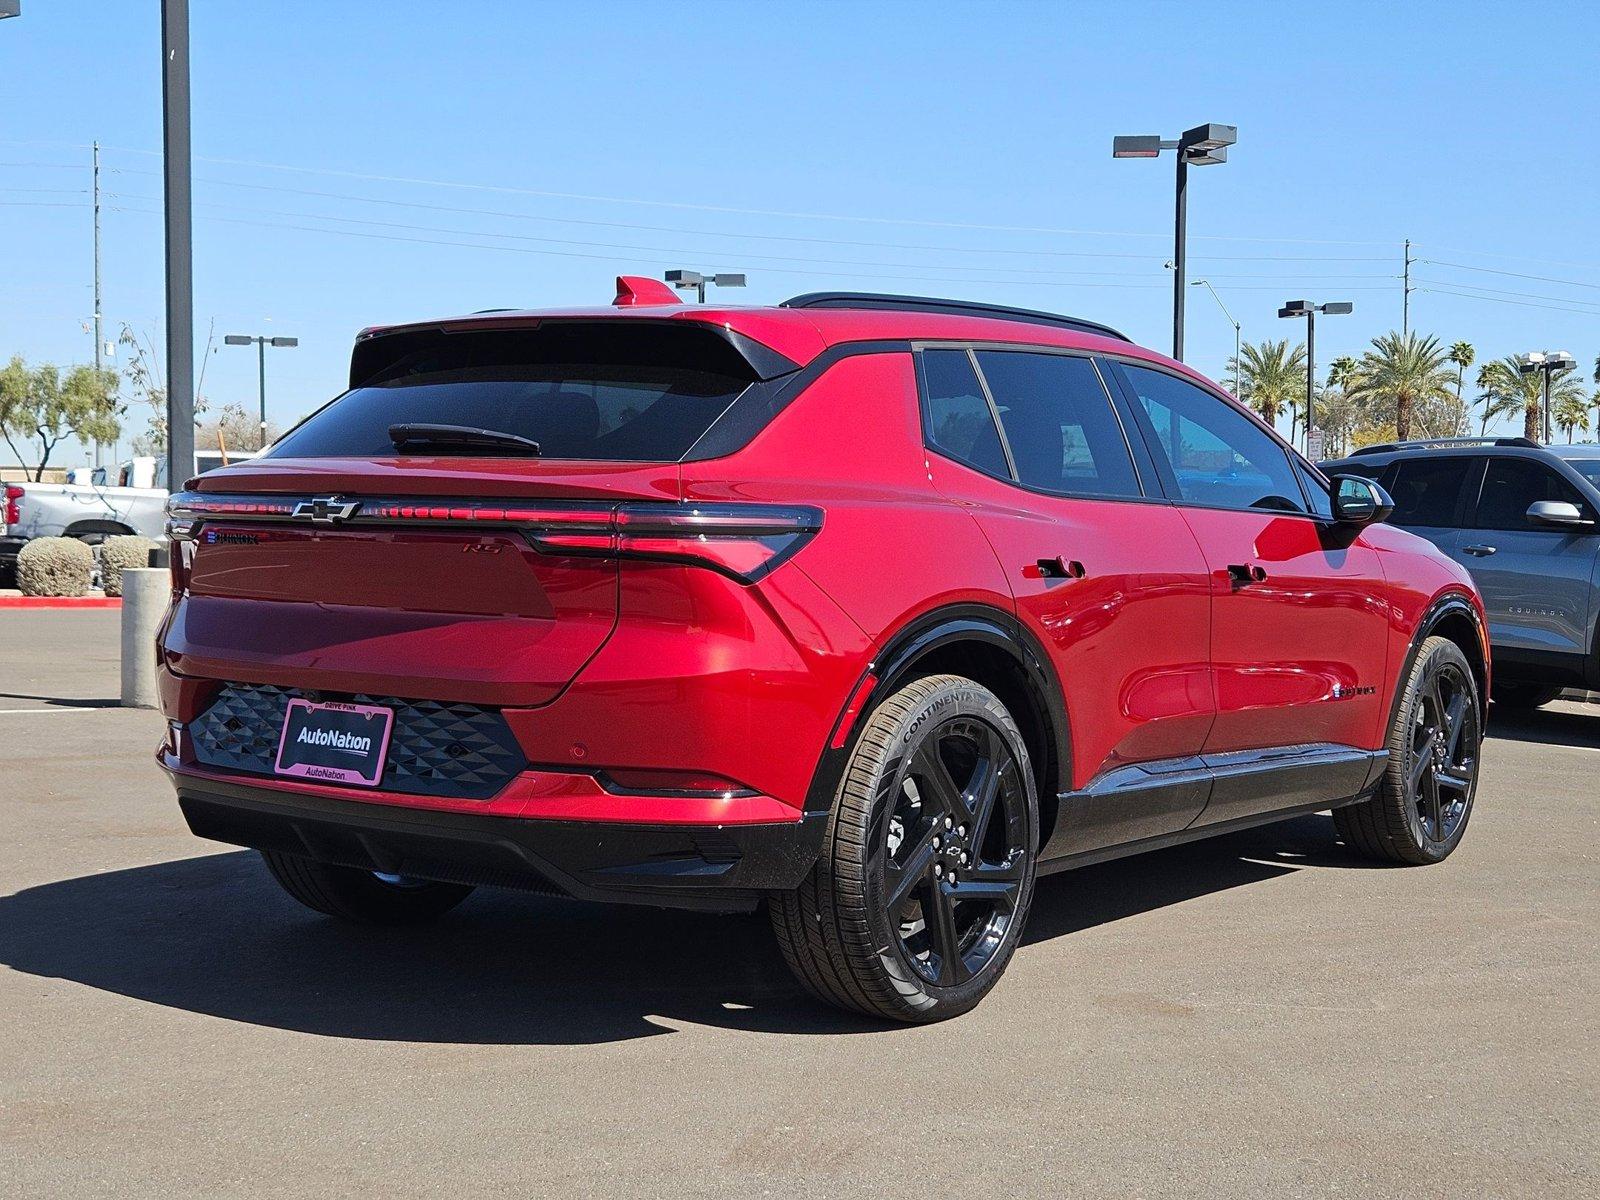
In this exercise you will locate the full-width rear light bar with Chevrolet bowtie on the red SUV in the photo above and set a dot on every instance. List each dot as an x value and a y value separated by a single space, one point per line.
745 542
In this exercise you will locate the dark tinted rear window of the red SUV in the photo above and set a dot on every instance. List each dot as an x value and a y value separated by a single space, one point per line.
582 391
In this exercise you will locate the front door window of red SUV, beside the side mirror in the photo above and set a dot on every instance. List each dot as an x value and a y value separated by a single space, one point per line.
1220 457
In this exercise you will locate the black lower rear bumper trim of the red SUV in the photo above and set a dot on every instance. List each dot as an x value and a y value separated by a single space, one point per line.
718 868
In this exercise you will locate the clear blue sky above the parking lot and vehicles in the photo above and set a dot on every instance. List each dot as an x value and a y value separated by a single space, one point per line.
945 150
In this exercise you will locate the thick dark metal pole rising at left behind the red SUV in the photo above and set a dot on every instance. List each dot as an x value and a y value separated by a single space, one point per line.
180 246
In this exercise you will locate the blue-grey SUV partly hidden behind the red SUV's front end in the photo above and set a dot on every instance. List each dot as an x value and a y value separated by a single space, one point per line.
1526 521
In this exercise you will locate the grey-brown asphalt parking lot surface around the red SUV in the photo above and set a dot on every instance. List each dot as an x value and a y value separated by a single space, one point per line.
1262 1015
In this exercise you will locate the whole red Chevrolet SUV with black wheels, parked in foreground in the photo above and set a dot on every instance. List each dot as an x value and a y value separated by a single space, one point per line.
874 609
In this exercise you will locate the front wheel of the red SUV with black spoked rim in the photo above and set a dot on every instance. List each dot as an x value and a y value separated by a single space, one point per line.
1425 799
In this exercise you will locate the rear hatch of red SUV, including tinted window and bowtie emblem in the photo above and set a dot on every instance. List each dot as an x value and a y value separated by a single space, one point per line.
378 550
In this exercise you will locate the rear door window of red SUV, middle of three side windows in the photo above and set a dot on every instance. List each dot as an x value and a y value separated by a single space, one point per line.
1060 425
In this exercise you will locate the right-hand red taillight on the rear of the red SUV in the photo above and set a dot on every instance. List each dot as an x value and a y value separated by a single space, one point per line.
742 540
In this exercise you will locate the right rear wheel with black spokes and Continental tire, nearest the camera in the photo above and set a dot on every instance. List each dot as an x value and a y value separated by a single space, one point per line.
938 796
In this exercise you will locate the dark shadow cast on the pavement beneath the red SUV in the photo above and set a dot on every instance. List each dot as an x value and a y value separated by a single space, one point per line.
214 935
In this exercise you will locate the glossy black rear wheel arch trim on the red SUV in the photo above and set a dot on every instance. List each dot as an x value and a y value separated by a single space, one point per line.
990 647
